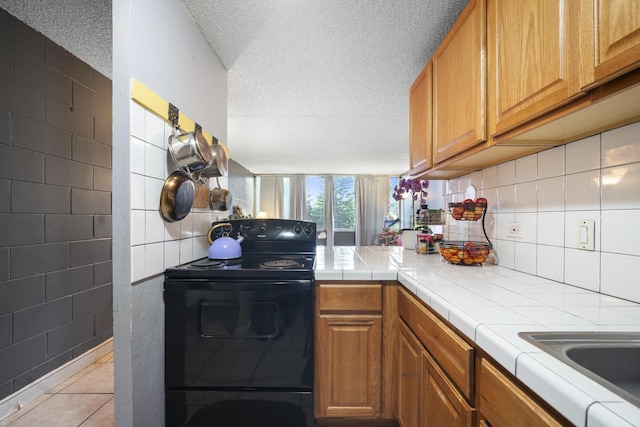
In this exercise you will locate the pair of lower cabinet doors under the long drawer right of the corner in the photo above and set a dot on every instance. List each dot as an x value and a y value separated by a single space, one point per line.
426 397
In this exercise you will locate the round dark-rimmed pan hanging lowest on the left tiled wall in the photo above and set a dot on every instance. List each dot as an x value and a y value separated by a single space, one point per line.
176 198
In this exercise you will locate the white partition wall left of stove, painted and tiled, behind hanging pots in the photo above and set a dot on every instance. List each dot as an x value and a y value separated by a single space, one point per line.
144 49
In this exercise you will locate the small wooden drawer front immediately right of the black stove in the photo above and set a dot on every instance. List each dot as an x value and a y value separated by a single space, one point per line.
350 297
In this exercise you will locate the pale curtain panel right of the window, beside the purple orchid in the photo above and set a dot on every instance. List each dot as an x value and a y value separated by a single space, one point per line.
372 197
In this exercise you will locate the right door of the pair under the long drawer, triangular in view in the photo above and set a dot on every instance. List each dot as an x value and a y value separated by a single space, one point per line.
442 404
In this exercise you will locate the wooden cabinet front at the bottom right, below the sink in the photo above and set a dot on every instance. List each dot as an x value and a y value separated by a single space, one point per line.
502 403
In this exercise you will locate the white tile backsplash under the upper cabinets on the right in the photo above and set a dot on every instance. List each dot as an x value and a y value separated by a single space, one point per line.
546 194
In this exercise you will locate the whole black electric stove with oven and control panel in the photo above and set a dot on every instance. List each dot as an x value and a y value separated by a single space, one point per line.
238 337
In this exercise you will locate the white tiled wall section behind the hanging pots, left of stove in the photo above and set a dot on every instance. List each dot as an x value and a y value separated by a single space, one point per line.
157 244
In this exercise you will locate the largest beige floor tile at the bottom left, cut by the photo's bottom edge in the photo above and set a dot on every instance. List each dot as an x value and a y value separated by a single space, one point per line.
63 410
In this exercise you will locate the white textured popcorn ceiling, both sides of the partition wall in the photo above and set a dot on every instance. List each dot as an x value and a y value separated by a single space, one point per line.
315 86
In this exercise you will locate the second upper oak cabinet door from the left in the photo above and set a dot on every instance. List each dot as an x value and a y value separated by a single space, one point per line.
459 84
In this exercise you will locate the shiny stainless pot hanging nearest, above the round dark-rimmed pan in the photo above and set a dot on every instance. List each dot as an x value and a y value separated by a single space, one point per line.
191 153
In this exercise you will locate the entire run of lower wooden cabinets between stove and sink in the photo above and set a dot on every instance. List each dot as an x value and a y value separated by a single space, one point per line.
382 353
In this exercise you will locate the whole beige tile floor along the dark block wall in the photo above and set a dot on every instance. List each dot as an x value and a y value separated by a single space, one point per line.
83 400
